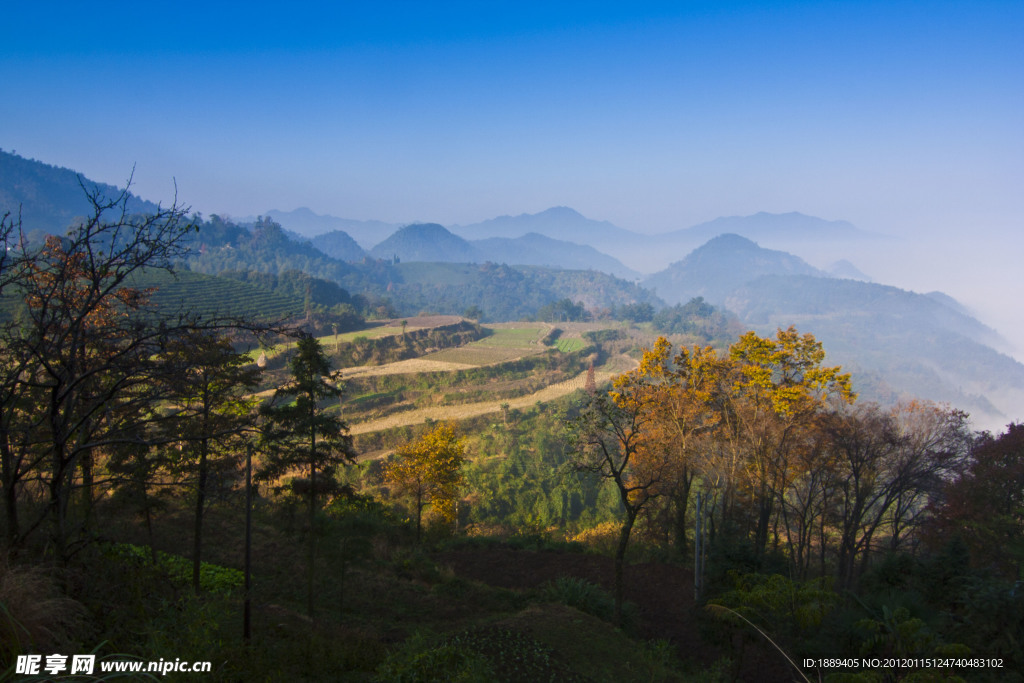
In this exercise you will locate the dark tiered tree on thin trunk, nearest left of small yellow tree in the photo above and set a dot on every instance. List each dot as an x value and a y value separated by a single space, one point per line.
302 435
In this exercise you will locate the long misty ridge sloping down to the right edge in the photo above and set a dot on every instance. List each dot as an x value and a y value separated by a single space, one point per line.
899 344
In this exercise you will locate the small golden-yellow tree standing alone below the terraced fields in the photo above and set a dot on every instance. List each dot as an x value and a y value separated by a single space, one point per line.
430 472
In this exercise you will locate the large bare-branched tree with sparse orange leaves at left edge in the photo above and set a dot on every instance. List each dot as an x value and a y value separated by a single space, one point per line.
81 352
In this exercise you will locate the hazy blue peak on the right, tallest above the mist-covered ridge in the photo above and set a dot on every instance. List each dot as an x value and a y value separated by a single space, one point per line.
720 267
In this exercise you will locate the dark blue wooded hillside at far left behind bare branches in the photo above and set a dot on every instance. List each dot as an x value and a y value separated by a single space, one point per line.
51 197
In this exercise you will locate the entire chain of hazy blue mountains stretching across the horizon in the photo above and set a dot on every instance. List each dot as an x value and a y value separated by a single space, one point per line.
900 344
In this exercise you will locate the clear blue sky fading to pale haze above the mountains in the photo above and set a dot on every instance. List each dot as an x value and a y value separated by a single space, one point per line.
905 118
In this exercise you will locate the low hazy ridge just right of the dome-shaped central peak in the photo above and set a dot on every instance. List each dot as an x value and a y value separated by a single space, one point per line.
534 249
